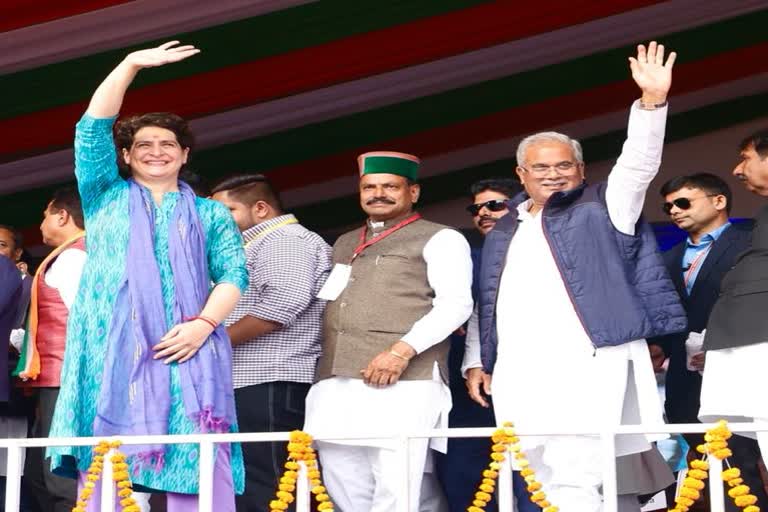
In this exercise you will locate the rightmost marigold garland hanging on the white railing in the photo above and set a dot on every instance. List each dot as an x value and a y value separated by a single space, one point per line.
715 445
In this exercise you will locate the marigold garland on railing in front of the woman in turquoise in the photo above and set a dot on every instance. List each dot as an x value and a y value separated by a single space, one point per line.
120 476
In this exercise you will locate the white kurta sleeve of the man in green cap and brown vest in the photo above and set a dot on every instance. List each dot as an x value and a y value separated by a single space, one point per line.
449 273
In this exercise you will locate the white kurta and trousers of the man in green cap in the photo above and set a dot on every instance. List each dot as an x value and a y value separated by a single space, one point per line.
363 476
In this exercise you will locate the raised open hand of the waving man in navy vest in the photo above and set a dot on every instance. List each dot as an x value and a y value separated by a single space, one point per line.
651 74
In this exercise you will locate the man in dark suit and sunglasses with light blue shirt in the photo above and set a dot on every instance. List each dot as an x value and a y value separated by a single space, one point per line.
699 204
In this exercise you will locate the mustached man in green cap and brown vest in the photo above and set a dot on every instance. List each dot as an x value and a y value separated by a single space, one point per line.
399 287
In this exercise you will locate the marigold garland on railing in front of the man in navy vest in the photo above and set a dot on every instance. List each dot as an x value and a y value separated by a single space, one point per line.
505 440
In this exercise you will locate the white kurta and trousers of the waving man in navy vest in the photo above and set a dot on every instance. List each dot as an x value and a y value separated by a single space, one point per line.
548 375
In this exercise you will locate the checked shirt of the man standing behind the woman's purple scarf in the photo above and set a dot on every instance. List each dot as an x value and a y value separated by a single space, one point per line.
287 266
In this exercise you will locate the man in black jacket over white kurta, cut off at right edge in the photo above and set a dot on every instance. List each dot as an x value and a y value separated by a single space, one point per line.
737 333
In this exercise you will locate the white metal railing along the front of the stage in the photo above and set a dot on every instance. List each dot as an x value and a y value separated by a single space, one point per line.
207 442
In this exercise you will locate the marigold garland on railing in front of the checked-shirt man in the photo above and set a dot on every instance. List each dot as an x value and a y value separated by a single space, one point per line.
300 449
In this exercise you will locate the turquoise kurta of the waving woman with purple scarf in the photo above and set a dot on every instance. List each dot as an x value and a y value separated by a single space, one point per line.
105 206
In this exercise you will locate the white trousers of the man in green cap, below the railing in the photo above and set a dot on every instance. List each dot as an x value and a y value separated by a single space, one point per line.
366 478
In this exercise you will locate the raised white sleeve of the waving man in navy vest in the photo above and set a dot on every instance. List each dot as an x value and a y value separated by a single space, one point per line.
636 167
